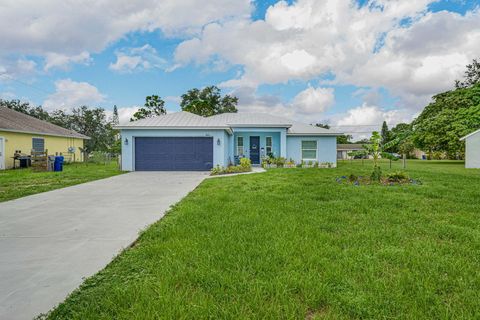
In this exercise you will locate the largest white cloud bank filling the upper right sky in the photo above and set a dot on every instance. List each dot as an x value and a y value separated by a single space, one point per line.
368 46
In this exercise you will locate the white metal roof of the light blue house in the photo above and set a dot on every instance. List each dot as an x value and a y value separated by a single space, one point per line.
187 120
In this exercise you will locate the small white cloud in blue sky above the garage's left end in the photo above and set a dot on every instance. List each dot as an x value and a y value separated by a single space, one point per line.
137 59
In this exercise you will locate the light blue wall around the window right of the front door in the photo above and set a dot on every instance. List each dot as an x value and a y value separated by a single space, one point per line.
326 148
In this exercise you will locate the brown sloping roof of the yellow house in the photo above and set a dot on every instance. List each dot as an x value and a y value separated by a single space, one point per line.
14 121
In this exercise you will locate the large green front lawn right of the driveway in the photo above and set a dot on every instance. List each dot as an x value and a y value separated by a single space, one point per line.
294 244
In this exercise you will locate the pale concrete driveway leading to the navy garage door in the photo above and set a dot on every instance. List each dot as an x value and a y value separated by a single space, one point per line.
51 241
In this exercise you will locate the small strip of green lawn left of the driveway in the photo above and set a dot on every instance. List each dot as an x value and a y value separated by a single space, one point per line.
23 182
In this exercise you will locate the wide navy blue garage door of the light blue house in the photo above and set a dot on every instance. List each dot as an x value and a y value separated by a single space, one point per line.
173 153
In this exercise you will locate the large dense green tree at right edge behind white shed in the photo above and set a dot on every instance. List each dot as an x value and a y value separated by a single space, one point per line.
449 117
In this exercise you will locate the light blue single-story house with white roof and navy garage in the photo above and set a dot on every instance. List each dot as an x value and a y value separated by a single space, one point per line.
185 141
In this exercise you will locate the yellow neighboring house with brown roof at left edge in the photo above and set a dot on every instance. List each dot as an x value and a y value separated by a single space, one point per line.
20 134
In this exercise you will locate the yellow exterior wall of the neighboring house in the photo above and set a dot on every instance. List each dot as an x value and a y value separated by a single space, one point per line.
23 142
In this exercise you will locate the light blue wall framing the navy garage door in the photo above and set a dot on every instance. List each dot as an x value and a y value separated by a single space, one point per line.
128 150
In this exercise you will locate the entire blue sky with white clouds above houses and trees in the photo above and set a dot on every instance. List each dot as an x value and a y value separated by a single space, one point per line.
345 62
